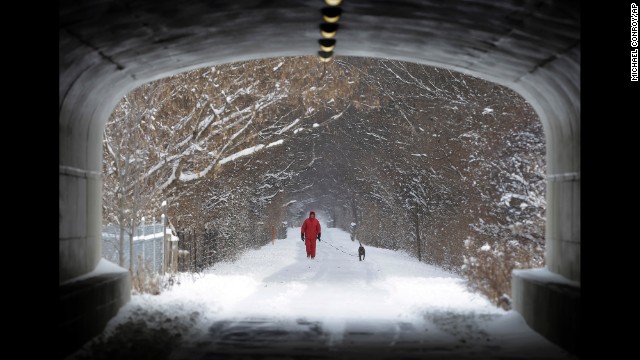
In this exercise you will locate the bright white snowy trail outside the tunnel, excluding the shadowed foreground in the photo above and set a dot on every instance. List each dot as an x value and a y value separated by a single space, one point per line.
336 285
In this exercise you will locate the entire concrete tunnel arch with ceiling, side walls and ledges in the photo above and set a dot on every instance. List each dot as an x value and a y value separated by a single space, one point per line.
107 49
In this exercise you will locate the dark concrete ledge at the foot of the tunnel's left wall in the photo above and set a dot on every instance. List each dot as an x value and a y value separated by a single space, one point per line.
86 305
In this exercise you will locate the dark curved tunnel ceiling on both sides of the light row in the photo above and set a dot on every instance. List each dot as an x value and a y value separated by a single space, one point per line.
135 42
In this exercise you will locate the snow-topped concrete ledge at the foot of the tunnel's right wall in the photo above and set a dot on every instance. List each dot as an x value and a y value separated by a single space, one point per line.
550 304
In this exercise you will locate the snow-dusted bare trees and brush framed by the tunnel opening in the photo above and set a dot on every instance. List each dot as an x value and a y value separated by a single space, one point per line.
388 110
